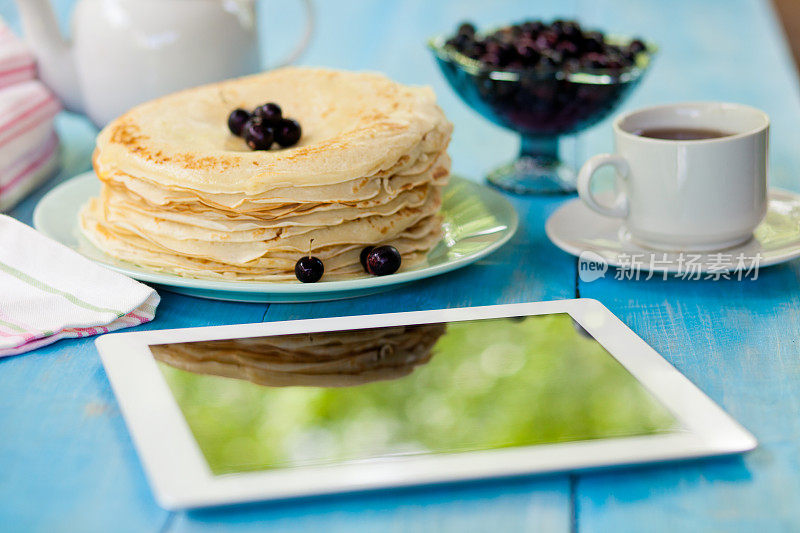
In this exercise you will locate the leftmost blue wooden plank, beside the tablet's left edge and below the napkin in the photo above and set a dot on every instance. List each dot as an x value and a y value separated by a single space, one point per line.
64 445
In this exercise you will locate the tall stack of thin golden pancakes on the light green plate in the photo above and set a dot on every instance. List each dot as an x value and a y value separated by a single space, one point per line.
182 195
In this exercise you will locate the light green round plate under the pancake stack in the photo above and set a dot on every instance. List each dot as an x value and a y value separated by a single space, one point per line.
477 221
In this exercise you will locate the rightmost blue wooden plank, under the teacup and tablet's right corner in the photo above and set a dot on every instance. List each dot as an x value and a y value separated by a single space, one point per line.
737 341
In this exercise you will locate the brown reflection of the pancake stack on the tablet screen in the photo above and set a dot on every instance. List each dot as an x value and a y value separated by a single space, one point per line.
330 359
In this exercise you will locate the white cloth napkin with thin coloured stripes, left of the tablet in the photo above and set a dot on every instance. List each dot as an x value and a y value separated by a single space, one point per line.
50 292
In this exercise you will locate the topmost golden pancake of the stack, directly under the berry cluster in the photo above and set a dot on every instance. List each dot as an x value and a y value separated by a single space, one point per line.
354 125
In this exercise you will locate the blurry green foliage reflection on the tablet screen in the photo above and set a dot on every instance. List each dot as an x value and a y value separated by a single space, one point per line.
488 384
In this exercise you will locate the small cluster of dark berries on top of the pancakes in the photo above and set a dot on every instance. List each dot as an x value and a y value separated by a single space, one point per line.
264 126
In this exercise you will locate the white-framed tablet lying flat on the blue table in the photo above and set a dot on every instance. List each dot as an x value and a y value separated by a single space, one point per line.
248 412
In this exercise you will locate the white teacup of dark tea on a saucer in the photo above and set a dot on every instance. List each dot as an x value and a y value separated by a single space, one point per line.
687 195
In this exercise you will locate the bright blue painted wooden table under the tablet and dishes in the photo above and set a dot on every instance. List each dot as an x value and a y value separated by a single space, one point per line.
67 462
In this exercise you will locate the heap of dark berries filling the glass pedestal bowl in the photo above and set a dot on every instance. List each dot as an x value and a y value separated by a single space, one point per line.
560 45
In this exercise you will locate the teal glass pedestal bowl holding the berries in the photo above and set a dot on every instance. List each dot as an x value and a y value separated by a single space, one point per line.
540 106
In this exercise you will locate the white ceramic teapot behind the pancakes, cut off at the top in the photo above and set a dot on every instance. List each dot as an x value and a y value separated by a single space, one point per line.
124 52
